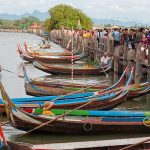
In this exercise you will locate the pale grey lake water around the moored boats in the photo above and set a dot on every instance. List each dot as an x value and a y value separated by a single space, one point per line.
10 60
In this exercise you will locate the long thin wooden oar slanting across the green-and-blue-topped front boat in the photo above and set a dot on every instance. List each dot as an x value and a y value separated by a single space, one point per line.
60 116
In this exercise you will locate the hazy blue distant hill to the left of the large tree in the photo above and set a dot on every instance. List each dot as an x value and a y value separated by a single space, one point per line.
40 15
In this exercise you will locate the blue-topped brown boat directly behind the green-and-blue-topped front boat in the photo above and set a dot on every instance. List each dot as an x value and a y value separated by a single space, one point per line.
102 102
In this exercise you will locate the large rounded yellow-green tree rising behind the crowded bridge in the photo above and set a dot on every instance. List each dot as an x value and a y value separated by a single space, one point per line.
66 16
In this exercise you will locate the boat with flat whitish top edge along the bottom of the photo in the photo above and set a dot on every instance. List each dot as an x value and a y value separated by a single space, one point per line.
116 144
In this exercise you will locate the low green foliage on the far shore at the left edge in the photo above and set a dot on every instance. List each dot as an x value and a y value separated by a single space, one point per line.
23 23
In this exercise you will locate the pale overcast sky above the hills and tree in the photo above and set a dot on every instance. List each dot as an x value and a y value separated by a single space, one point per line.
116 9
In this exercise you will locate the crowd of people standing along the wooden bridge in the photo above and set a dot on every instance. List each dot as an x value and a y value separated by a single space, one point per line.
130 38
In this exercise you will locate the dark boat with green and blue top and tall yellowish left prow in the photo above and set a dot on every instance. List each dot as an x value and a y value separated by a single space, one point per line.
78 121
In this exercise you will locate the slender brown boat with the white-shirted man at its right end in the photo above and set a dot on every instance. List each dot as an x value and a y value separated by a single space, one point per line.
77 69
